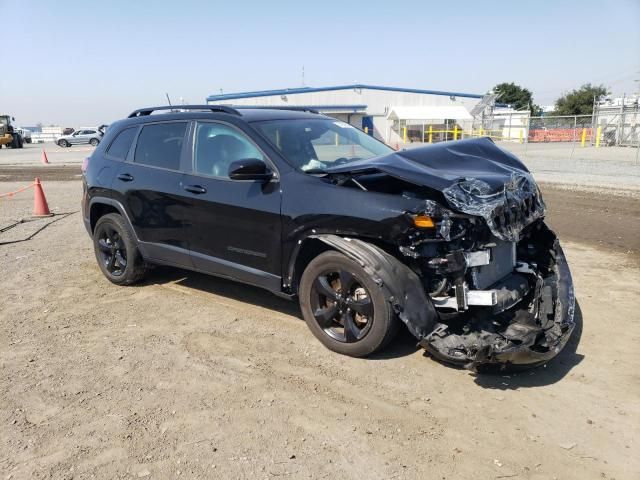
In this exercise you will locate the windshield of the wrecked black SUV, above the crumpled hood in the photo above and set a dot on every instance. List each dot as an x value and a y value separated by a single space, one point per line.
313 145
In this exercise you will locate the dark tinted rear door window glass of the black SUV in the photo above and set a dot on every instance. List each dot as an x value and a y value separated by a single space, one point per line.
160 144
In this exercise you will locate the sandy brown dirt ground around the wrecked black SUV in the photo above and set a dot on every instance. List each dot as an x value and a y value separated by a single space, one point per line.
190 376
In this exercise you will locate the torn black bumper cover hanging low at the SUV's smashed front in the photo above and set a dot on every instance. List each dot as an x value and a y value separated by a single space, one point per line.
517 338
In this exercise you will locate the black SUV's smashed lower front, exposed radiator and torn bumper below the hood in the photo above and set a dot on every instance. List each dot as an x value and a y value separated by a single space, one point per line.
503 303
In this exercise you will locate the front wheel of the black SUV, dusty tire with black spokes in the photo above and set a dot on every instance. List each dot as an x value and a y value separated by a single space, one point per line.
344 308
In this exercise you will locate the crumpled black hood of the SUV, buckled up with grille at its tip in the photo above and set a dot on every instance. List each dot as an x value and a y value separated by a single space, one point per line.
475 176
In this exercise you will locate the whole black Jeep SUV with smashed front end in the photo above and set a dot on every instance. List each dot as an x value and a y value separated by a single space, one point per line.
448 239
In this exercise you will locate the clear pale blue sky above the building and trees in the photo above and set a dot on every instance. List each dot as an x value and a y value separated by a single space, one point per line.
84 63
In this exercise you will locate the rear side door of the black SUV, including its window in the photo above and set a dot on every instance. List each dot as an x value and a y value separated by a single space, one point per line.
149 186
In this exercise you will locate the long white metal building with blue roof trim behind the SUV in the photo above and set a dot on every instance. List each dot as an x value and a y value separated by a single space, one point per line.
385 112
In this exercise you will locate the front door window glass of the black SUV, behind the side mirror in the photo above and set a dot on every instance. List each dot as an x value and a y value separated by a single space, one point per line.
218 146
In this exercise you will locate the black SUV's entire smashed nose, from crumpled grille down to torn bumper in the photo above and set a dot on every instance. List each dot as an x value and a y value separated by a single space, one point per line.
496 275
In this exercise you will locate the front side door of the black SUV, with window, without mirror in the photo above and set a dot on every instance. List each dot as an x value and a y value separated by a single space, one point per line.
235 227
